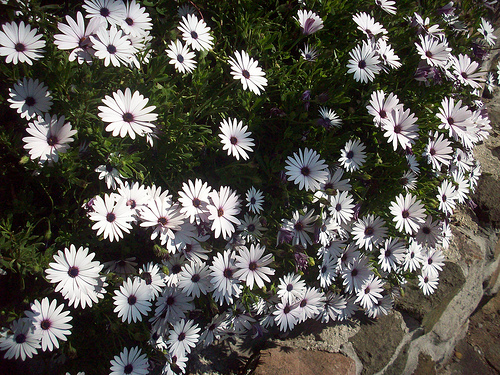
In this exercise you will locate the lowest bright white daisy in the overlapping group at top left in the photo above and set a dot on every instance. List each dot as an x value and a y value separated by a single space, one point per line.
112 46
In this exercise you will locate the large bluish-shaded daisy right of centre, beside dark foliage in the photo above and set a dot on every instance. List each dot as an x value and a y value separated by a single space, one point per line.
306 169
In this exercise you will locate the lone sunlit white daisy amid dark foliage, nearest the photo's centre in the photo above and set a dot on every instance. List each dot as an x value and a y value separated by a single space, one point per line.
235 138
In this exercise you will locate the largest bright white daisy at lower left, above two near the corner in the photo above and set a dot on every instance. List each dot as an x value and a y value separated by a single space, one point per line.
74 271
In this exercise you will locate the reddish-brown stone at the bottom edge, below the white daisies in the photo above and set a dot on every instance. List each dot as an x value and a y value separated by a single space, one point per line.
285 361
